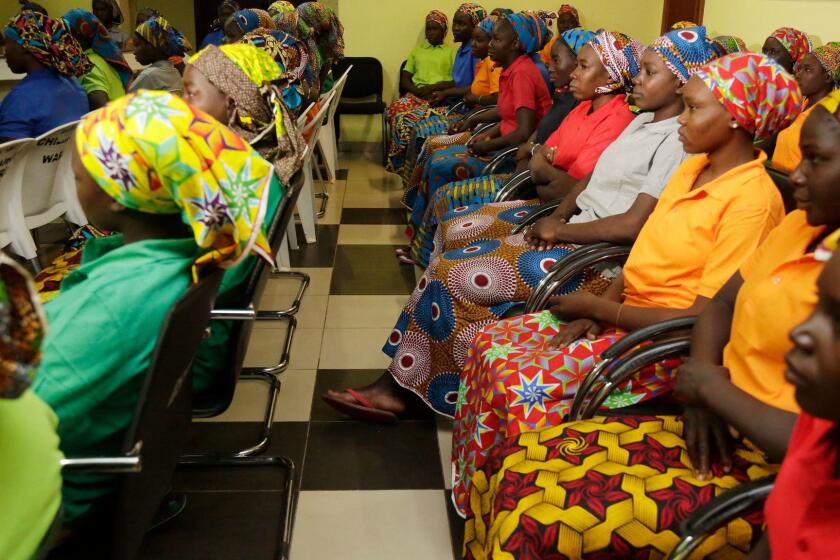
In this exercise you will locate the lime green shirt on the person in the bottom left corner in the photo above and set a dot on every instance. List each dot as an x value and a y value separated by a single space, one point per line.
30 475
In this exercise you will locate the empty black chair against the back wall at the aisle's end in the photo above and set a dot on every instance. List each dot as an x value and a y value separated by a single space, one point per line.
365 81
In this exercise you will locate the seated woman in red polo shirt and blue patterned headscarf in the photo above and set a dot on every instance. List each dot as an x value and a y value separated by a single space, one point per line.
523 102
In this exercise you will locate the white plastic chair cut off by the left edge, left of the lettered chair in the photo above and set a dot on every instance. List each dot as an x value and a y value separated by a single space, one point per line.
12 162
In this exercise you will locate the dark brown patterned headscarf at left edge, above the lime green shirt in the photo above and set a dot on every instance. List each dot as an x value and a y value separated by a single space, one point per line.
22 328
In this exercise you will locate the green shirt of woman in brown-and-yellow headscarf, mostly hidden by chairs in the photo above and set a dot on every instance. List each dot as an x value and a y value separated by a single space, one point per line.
214 350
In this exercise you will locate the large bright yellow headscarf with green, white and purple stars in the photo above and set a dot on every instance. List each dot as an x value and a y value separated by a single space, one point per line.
152 152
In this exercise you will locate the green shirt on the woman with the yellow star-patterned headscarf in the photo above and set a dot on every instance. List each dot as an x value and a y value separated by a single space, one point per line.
103 327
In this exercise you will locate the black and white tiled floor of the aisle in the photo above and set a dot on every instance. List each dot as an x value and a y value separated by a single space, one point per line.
367 492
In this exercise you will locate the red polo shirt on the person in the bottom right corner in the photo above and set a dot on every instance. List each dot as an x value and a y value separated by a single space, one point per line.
803 511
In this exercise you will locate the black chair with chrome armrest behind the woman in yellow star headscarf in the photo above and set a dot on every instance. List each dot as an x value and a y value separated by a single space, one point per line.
157 435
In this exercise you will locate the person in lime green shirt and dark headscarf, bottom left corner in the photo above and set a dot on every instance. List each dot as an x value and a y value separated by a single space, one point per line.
30 496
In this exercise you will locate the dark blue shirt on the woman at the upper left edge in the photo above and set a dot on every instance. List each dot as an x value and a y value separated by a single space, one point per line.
40 102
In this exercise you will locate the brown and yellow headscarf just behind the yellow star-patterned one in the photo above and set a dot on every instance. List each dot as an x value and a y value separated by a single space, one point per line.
249 76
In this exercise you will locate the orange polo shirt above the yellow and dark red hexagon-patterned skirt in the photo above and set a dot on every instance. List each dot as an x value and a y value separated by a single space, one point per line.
779 292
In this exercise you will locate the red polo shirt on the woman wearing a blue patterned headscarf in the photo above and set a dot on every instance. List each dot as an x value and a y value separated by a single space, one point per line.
522 86
